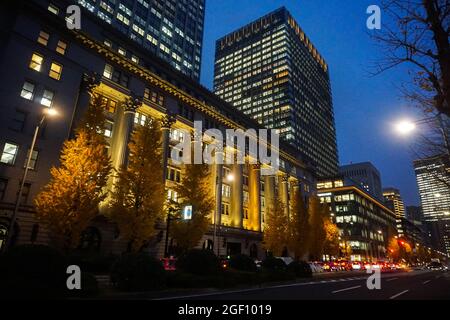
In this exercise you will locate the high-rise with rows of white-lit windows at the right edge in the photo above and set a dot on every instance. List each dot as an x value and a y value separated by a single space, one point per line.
433 181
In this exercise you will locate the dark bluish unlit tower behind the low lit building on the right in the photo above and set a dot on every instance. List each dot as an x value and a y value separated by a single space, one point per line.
366 176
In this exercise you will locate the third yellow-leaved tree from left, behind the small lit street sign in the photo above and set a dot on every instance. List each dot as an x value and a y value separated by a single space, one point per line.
194 190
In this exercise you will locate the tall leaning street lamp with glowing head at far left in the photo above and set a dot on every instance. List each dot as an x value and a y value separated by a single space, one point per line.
47 112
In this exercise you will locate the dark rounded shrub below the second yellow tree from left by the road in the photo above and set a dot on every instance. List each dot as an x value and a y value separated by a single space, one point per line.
137 272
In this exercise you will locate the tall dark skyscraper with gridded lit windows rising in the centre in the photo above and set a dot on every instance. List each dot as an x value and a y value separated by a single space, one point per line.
270 70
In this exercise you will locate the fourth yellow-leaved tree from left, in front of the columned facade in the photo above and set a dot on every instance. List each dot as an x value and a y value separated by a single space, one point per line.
276 229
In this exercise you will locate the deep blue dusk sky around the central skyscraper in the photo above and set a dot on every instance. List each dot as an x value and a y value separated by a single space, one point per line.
365 107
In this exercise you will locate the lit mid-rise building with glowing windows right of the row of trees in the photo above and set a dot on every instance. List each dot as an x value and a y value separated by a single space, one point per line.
365 224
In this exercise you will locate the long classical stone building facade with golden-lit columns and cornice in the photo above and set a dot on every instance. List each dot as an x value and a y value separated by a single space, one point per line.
45 65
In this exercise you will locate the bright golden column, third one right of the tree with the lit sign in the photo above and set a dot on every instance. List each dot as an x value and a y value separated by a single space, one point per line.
255 196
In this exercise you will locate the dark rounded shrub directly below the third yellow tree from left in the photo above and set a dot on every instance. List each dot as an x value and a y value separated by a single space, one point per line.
199 262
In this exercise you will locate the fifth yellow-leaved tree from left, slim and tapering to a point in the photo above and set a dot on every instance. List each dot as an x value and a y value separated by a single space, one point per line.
299 229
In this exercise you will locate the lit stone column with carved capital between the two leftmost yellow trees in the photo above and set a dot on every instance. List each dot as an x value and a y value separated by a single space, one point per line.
130 105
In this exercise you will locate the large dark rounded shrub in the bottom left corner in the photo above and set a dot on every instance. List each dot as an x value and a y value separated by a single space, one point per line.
33 271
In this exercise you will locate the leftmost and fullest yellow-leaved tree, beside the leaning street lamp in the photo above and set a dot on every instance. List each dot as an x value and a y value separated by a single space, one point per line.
69 202
